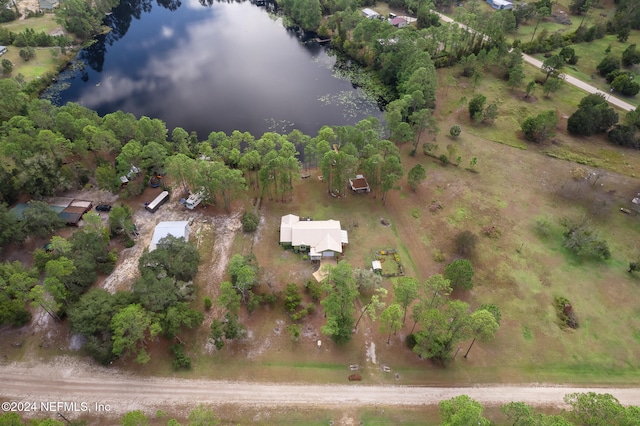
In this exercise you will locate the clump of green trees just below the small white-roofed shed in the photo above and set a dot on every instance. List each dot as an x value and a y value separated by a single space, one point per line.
122 324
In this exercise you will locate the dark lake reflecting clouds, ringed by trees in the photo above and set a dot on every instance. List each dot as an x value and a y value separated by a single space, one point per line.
211 67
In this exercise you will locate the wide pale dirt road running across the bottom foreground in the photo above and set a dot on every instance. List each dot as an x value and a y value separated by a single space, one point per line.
72 383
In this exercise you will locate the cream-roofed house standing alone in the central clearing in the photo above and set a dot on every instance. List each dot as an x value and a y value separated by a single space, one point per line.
321 238
